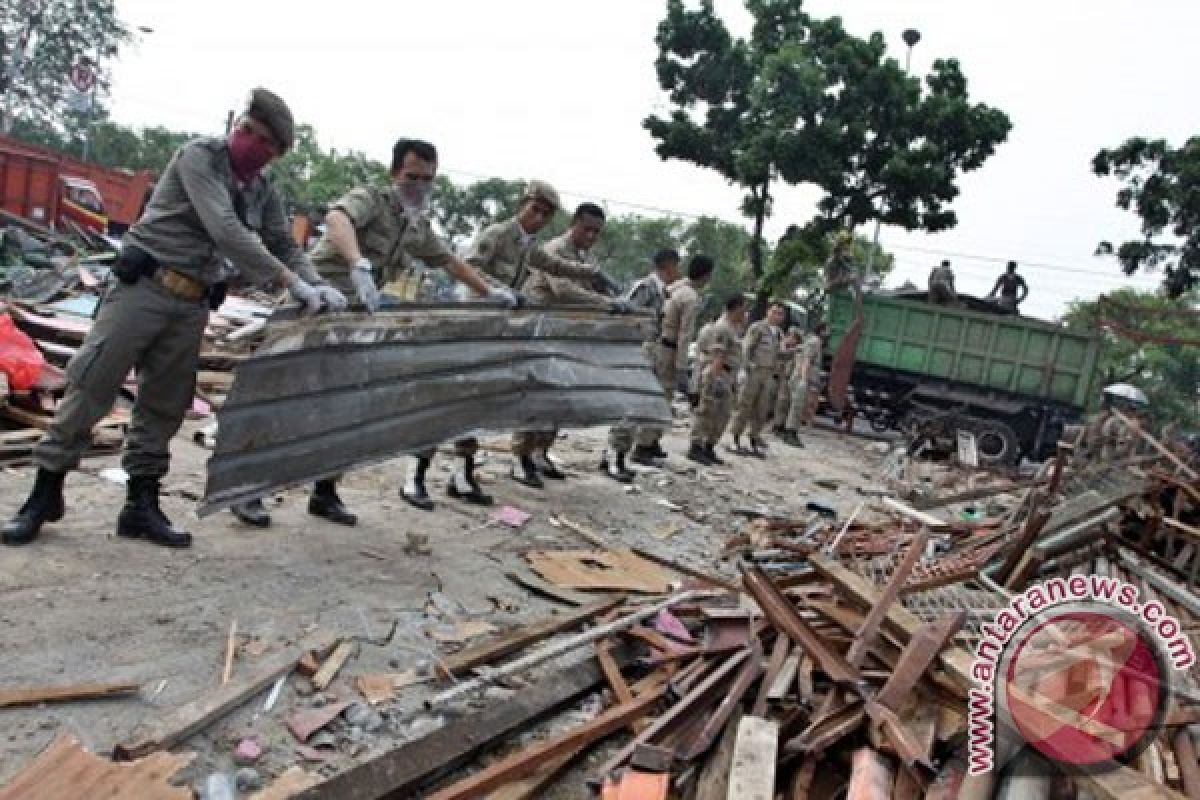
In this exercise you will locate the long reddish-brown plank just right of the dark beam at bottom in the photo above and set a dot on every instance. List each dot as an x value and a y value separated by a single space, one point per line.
527 761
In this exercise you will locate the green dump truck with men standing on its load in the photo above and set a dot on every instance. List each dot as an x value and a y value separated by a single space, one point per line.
934 371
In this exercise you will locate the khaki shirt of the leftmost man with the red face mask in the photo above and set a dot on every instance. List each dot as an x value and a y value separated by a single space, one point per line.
199 215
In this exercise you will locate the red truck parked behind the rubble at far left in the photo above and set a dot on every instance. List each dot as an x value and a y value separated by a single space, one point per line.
51 189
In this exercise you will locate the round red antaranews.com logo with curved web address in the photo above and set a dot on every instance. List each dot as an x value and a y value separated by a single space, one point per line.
1079 669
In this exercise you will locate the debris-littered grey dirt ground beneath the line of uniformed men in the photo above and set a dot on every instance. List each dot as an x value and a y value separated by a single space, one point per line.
82 606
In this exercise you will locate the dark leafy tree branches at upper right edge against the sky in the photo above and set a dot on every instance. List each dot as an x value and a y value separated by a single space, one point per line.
1162 187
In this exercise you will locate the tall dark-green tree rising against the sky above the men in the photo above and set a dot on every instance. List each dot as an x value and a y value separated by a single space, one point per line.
802 101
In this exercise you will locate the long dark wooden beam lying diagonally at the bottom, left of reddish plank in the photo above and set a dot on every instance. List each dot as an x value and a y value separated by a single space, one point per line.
405 771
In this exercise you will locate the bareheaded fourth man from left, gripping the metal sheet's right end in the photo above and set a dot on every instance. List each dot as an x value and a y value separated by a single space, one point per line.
544 290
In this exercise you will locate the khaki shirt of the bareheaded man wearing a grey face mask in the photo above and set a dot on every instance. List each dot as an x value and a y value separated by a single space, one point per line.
386 236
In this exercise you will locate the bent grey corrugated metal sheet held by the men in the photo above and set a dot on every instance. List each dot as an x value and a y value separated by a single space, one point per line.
327 394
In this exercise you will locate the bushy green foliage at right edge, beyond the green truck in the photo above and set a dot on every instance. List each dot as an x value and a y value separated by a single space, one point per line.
1168 374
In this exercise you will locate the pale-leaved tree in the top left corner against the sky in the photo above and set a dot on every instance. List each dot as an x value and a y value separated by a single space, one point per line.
40 44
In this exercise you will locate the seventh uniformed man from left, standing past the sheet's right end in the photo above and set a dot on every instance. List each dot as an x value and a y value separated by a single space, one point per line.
718 363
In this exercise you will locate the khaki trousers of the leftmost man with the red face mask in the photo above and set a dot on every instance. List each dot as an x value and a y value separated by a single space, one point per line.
145 328
